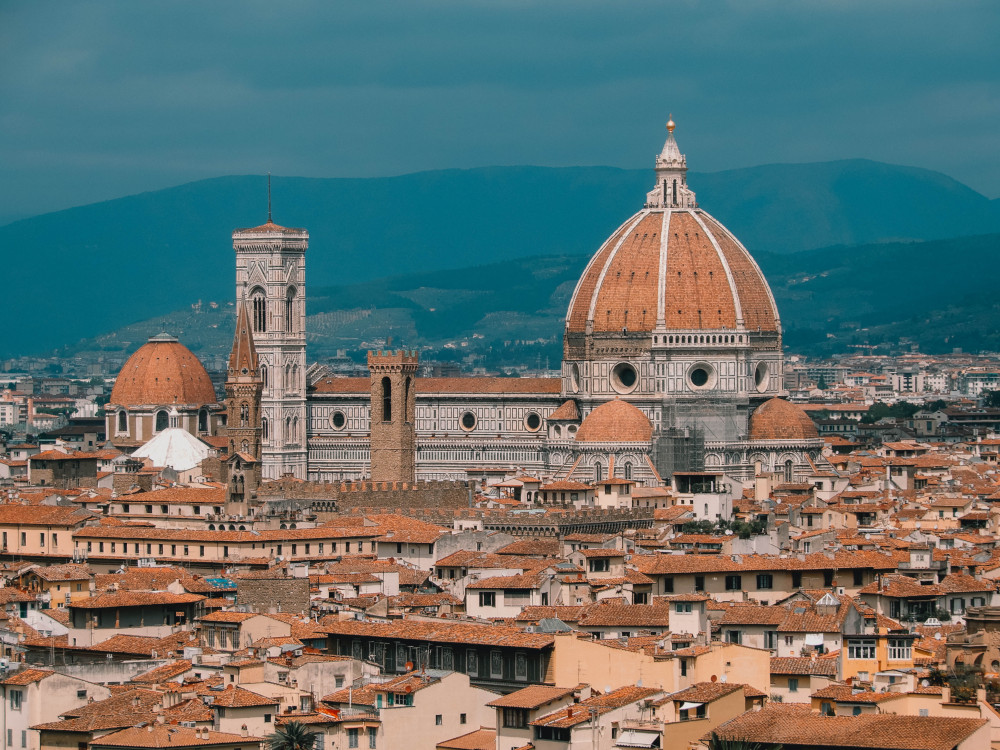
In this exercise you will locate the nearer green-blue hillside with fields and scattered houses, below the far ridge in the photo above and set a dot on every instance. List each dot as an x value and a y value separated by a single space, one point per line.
940 294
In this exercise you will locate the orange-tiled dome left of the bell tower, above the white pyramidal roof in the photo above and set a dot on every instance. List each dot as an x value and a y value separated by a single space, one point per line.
163 371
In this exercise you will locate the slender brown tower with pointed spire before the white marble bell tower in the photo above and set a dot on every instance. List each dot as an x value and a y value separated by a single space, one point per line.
243 405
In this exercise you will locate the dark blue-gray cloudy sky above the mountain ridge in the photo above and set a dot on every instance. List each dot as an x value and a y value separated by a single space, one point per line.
103 99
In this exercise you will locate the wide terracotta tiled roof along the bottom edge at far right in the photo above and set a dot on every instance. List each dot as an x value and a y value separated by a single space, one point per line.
793 726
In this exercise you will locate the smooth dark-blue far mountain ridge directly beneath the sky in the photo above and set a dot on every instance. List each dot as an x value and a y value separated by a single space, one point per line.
74 273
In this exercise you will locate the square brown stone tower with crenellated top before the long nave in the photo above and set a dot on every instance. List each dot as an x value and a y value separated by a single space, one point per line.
393 416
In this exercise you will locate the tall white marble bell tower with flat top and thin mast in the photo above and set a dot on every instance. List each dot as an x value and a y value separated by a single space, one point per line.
270 276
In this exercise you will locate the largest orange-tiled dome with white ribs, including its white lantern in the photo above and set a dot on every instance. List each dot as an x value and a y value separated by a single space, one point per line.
671 267
